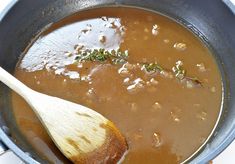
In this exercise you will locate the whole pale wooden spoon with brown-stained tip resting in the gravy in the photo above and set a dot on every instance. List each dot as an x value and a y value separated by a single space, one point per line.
81 134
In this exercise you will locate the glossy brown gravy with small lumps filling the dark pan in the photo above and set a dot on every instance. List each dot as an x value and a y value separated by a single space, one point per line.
164 119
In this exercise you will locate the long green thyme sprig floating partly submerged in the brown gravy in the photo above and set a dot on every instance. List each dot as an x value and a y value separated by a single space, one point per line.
121 57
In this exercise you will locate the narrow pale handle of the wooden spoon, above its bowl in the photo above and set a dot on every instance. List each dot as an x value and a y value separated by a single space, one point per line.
13 83
